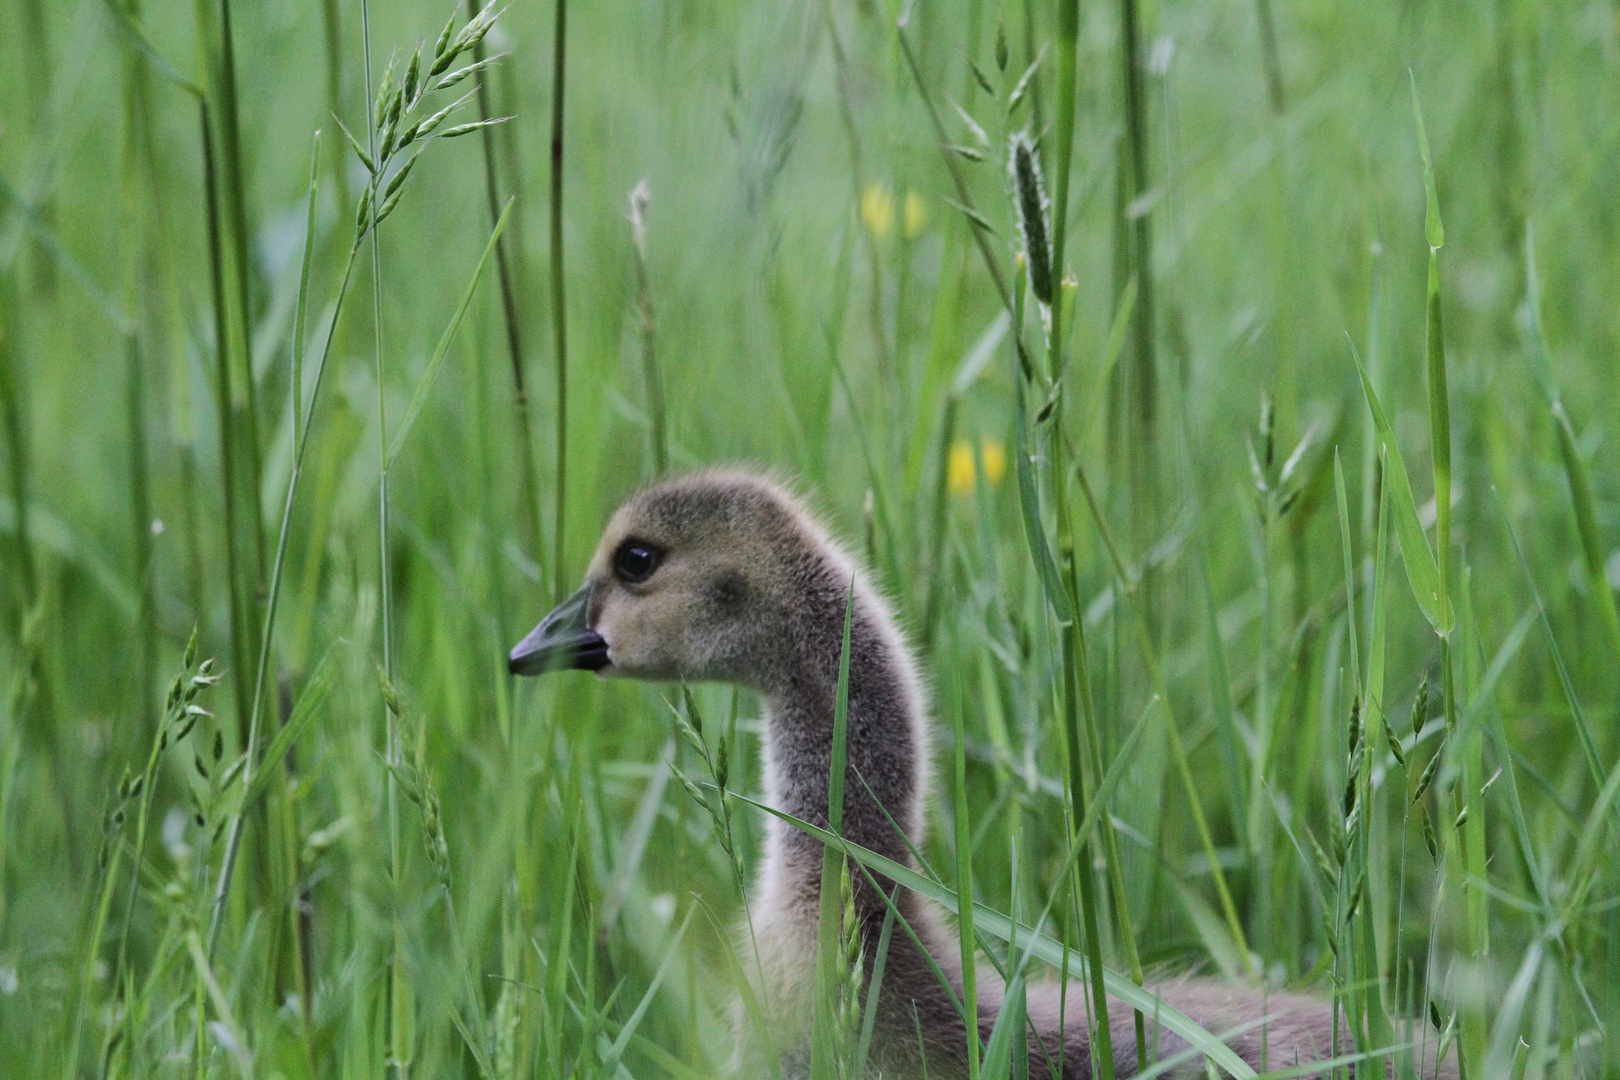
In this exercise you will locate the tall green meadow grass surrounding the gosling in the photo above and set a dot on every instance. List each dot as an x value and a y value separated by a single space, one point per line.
1324 704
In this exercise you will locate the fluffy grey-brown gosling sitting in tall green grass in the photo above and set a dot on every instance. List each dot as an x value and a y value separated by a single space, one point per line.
727 577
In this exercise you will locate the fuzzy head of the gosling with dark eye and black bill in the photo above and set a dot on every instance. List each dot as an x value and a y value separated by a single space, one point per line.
702 577
